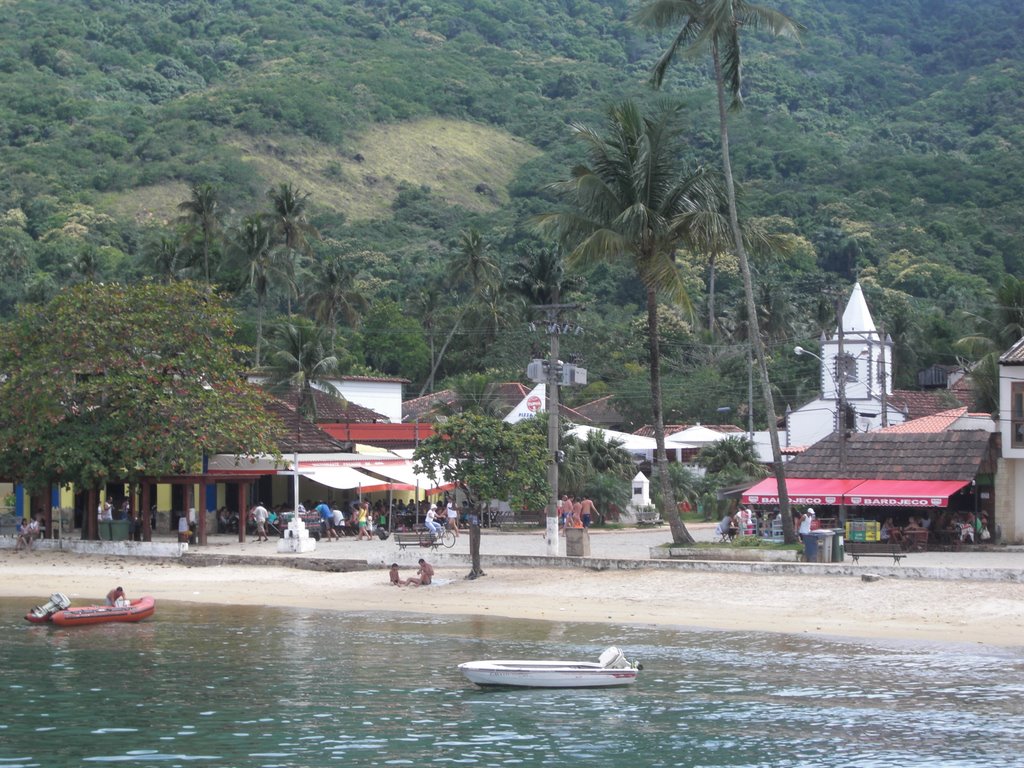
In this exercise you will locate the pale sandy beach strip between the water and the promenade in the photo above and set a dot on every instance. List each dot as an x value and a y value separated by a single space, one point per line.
984 613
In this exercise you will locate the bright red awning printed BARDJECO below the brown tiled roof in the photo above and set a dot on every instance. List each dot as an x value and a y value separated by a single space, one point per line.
833 492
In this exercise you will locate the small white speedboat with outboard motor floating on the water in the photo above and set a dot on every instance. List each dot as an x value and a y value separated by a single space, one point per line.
611 669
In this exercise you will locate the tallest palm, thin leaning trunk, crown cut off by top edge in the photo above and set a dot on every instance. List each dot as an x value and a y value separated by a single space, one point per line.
714 26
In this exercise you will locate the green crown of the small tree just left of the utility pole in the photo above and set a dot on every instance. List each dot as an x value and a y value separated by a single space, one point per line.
492 459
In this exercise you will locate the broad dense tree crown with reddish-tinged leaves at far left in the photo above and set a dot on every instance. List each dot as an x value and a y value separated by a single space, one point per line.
111 382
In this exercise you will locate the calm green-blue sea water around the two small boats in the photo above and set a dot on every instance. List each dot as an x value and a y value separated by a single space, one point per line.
248 688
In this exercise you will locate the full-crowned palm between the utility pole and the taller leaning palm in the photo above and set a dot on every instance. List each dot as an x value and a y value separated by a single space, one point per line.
636 200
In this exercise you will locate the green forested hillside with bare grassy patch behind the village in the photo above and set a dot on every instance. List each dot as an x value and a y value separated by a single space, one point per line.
886 144
